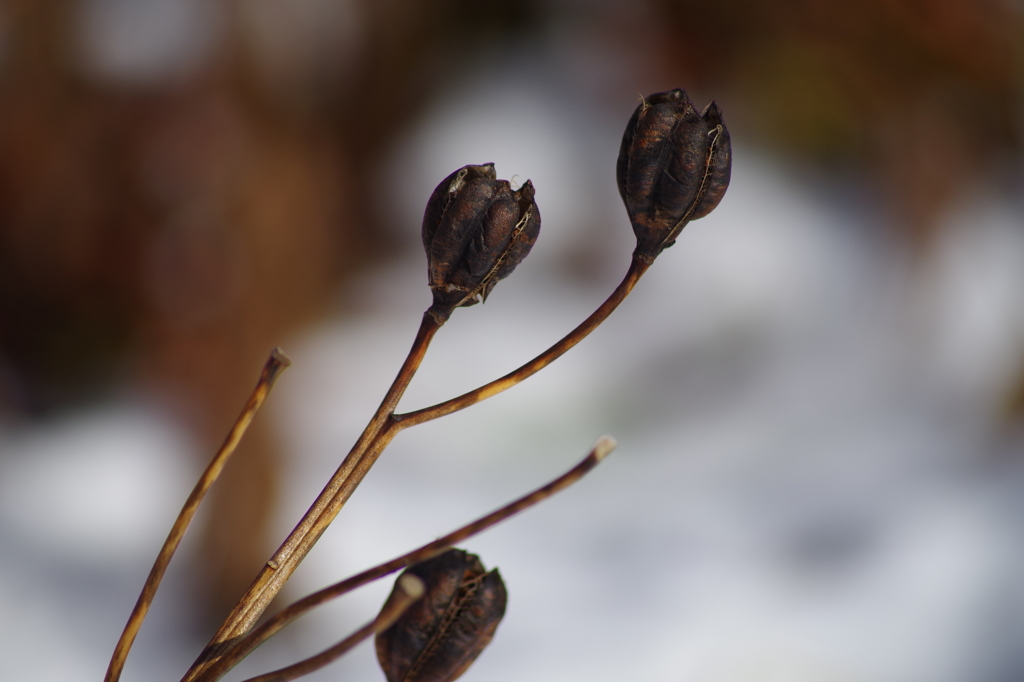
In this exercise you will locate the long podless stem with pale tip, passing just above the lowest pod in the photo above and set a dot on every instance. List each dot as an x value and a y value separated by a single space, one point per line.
287 616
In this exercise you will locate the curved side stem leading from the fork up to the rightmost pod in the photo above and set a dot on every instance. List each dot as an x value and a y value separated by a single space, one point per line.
637 268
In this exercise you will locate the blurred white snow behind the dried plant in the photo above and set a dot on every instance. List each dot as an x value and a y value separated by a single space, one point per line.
813 481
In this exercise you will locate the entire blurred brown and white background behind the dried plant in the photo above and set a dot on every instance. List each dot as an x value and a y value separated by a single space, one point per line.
819 393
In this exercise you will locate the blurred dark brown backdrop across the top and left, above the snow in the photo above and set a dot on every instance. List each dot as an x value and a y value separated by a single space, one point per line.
166 228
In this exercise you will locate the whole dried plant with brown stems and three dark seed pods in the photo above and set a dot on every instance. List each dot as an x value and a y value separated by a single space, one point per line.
673 167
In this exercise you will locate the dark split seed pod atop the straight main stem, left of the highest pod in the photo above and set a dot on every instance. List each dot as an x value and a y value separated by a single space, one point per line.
476 231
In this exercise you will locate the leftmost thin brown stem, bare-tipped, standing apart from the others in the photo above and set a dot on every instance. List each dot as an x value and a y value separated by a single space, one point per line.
276 364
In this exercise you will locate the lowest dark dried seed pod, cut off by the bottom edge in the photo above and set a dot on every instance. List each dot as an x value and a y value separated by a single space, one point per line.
442 634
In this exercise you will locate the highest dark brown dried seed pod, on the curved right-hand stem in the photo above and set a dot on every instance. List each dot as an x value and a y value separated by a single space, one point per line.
674 167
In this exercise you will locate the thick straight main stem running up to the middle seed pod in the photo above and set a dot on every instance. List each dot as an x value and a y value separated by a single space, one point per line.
324 510
